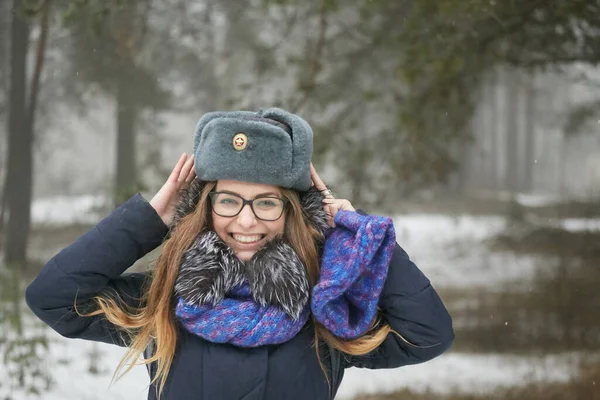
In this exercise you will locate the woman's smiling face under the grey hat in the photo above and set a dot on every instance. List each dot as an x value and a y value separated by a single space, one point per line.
244 233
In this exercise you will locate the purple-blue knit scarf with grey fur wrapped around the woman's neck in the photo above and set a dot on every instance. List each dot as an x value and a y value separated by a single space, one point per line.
224 300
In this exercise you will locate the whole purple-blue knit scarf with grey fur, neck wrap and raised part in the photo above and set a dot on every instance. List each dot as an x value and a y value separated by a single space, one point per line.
266 300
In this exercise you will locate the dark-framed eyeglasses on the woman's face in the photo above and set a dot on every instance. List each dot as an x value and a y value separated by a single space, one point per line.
268 208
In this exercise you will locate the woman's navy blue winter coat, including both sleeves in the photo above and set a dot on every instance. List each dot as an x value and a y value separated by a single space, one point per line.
202 370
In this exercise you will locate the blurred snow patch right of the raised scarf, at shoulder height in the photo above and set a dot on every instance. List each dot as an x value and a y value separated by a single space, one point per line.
450 251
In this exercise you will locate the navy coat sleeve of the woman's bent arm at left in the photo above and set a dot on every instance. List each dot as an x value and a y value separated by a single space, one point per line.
94 264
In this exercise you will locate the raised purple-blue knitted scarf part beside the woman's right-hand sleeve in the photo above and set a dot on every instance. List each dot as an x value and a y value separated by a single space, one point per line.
353 270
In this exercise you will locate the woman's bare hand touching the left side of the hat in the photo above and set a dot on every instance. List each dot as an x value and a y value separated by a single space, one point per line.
166 199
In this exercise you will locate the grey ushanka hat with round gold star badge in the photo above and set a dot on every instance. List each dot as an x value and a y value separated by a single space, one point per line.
272 147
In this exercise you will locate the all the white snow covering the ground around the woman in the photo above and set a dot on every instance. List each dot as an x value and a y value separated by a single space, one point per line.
447 248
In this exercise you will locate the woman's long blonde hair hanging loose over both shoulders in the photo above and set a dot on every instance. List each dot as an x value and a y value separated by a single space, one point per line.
155 319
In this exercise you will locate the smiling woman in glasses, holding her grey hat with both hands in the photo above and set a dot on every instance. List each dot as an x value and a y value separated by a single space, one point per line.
267 287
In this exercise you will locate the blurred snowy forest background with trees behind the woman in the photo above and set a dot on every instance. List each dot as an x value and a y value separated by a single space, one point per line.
479 109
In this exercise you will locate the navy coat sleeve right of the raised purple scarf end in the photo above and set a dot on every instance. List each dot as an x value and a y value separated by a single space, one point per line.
414 310
